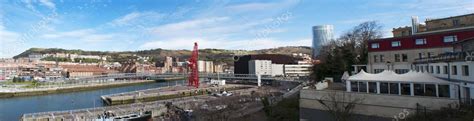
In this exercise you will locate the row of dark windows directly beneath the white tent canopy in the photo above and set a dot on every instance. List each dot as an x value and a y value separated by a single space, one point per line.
401 88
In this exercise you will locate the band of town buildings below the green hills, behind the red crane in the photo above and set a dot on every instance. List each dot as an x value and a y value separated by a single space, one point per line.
46 67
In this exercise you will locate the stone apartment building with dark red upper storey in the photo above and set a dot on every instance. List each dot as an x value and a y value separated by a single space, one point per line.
398 53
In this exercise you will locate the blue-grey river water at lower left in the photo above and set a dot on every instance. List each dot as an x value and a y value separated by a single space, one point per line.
11 109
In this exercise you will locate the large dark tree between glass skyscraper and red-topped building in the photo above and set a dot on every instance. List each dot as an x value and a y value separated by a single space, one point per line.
350 48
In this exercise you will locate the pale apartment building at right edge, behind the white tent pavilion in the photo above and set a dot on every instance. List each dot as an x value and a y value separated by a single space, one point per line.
454 66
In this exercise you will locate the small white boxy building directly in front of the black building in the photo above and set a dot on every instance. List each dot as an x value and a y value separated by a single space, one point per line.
260 67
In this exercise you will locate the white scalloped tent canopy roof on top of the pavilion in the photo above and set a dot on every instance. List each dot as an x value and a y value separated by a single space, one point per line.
390 76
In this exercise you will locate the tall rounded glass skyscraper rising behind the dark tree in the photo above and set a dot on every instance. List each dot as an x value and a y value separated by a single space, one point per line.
321 35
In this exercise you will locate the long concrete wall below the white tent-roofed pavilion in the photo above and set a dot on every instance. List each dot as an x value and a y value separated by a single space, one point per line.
376 105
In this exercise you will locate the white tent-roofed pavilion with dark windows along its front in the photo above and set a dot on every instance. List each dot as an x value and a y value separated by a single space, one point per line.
410 84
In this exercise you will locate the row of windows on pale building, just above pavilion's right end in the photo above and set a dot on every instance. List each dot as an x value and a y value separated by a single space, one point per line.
454 69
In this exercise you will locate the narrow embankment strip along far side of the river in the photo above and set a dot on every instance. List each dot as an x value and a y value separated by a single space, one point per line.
45 91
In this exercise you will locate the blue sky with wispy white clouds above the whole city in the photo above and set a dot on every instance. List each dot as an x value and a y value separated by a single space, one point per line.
128 25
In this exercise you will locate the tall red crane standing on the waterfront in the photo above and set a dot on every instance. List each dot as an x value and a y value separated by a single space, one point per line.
193 79
